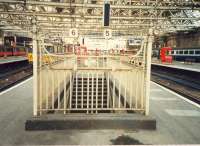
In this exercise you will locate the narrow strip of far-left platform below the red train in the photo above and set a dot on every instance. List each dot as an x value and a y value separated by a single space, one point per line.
12 59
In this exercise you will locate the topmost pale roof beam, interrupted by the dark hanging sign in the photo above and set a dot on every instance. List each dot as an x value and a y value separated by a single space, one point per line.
164 5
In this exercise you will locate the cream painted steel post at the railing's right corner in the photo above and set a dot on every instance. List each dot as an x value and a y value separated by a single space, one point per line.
148 69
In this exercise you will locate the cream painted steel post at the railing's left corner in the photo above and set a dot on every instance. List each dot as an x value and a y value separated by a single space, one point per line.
35 70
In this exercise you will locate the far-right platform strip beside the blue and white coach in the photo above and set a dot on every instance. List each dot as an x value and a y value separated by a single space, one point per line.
178 64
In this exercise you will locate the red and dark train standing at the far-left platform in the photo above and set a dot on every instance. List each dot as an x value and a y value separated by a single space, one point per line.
15 46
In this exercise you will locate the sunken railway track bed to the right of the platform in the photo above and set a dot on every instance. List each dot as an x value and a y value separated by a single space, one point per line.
184 82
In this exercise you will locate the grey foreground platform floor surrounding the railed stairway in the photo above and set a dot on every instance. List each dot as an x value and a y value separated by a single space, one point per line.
177 123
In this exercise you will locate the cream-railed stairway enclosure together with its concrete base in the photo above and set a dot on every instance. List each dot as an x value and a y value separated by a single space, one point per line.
75 88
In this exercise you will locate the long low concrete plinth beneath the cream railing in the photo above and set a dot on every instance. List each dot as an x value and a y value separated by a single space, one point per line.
91 121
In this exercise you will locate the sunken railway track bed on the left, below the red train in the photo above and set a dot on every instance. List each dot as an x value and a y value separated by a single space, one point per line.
14 74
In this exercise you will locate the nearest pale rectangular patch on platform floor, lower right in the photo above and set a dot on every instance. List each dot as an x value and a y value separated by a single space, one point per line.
183 113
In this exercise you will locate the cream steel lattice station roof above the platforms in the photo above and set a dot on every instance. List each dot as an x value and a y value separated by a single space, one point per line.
127 17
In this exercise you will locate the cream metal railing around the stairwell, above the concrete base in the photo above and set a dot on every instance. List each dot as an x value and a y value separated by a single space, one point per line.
92 84
